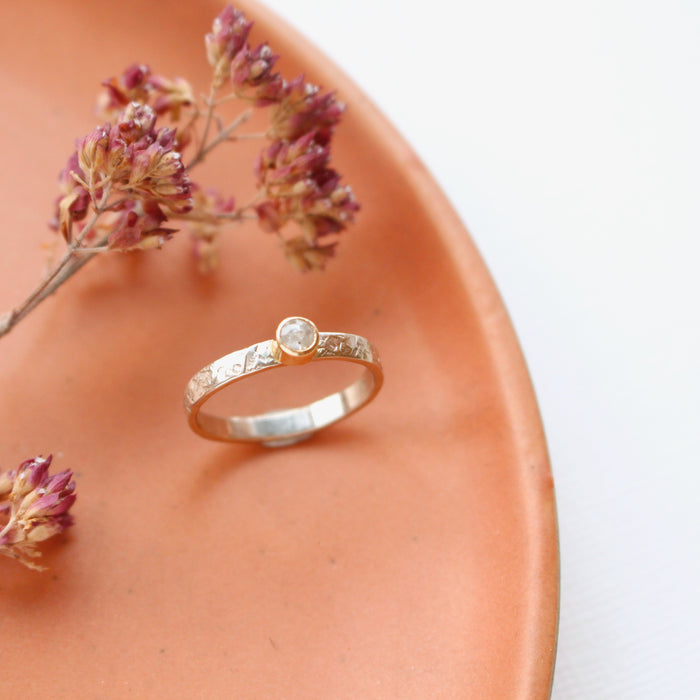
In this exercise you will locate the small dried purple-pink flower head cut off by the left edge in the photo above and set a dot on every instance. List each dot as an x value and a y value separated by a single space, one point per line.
33 507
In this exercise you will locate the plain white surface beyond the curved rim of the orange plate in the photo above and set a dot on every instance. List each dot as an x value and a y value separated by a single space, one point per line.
566 135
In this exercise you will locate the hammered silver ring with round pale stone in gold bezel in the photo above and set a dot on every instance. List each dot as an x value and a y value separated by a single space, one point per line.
297 342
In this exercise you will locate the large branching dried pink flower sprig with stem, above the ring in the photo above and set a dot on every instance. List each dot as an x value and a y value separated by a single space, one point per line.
128 185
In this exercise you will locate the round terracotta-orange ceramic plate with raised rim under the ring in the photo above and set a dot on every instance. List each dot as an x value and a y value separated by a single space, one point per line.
408 552
